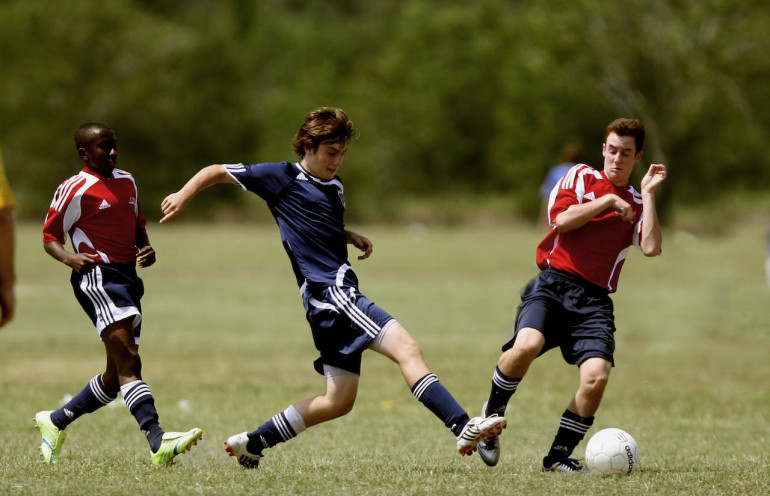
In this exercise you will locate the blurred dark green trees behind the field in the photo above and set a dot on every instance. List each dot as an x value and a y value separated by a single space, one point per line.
454 99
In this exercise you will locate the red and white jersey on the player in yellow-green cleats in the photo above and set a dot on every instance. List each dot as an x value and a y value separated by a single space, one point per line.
101 215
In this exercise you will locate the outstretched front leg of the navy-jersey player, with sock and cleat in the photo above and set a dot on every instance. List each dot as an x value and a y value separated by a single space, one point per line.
396 343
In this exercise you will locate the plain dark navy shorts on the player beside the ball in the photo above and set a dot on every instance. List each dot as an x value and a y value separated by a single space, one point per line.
572 314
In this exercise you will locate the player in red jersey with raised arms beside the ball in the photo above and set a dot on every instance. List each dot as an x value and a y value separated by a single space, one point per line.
595 217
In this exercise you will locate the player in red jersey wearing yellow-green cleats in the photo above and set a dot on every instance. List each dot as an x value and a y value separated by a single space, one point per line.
99 209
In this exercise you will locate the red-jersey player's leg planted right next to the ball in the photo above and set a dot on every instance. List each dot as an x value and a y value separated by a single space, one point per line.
578 418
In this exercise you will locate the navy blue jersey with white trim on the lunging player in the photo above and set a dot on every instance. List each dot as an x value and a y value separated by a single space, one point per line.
310 215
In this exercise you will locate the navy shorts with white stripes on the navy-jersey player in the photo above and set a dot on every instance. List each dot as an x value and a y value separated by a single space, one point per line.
344 323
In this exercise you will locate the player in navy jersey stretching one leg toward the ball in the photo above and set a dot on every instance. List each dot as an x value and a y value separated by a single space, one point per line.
307 201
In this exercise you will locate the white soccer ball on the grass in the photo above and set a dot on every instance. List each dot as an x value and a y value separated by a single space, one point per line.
612 452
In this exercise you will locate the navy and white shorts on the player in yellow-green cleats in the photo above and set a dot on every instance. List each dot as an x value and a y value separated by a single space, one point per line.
110 293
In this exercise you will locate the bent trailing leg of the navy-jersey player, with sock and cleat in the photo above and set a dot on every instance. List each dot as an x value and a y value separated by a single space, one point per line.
337 400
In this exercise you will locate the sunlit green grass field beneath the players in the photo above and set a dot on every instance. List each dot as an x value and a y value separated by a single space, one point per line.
225 346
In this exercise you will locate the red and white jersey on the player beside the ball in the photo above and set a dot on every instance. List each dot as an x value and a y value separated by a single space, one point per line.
597 250
